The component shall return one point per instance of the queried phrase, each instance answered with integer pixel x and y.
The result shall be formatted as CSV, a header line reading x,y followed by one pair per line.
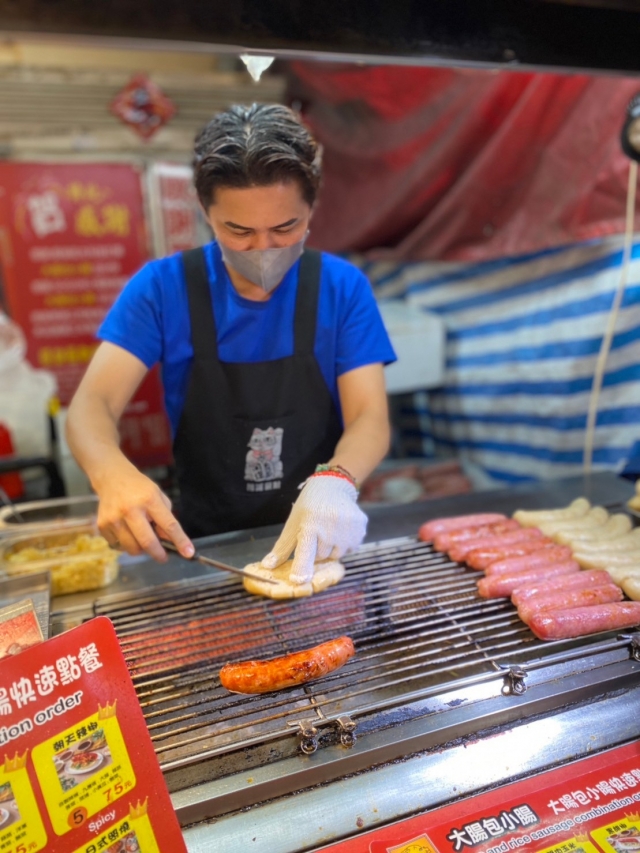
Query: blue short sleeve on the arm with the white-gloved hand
x,y
362,337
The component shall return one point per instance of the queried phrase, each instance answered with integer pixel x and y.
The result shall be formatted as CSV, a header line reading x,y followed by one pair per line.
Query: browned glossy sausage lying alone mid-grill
x,y
263,676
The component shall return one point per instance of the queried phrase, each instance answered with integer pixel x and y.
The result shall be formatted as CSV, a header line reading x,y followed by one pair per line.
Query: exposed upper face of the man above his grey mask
x,y
269,217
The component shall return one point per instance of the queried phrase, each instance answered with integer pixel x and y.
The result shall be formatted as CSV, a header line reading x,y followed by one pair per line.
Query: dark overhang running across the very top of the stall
x,y
574,34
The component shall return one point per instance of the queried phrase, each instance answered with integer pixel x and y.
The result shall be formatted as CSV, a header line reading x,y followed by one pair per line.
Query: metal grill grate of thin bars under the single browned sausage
x,y
415,617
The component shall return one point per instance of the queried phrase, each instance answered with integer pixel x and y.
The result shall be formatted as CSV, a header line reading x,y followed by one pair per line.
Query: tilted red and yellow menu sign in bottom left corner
x,y
78,773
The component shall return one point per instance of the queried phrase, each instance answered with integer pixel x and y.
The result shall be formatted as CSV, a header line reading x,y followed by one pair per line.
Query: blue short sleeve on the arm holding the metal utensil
x,y
135,319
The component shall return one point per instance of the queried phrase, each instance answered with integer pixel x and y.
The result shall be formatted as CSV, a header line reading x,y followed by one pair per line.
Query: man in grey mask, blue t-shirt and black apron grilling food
x,y
272,363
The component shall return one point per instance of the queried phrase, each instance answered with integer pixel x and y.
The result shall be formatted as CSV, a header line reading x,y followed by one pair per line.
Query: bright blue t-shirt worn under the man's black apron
x,y
150,319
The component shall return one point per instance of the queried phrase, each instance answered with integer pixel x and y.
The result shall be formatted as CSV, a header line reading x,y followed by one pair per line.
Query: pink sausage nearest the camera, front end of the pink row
x,y
578,621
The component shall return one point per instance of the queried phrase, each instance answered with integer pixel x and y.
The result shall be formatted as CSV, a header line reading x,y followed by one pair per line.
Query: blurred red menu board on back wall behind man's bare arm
x,y
70,237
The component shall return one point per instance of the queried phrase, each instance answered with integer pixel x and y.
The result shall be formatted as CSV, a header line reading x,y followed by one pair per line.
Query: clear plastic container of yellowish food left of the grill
x,y
78,559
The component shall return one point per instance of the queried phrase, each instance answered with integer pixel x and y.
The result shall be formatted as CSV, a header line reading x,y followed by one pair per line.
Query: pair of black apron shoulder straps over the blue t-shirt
x,y
203,324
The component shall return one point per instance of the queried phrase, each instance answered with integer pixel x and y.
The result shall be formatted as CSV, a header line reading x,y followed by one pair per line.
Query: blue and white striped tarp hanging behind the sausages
x,y
523,335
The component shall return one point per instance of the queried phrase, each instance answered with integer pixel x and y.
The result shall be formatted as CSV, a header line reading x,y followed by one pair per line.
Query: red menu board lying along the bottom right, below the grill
x,y
589,806
